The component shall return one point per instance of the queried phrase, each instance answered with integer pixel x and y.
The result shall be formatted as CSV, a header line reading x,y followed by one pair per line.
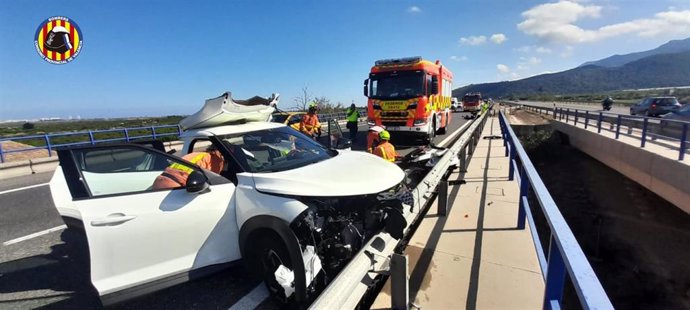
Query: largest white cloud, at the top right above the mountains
x,y
556,23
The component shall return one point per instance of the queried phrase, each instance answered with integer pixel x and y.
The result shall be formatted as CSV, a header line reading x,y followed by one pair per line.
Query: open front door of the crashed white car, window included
x,y
140,232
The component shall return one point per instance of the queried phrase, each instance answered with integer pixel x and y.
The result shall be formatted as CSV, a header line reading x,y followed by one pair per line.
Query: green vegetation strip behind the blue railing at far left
x,y
77,130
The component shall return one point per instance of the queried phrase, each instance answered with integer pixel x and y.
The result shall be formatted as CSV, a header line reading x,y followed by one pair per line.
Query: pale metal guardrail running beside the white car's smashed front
x,y
348,288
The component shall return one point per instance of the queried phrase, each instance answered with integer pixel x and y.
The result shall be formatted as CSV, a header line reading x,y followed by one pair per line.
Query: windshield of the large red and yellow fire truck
x,y
397,85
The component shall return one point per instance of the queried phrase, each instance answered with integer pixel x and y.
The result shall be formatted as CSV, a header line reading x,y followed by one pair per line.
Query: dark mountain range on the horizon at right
x,y
665,66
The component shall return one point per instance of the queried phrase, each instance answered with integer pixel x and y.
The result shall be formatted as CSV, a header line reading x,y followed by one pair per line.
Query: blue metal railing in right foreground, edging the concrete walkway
x,y
564,252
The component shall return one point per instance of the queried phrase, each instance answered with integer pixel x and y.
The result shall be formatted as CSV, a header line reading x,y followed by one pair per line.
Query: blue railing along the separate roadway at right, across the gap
x,y
648,127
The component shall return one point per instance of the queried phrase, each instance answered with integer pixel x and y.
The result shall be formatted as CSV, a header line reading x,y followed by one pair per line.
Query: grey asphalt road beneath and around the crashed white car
x,y
50,271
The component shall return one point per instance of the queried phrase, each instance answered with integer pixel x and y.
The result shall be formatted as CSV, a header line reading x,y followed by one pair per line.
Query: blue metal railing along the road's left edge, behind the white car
x,y
89,137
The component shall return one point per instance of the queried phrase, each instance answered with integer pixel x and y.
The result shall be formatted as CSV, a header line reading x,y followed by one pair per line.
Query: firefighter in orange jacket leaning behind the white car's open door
x,y
176,175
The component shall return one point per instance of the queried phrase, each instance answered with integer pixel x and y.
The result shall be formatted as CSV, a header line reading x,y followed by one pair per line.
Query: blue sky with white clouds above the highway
x,y
151,58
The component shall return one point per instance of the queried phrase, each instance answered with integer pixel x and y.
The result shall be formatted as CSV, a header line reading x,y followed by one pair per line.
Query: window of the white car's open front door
x,y
127,169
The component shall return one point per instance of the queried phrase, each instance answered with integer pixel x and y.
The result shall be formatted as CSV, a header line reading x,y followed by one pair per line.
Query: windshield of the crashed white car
x,y
273,150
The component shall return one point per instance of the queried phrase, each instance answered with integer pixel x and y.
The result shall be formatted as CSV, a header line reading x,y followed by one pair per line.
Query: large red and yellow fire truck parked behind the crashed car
x,y
409,95
